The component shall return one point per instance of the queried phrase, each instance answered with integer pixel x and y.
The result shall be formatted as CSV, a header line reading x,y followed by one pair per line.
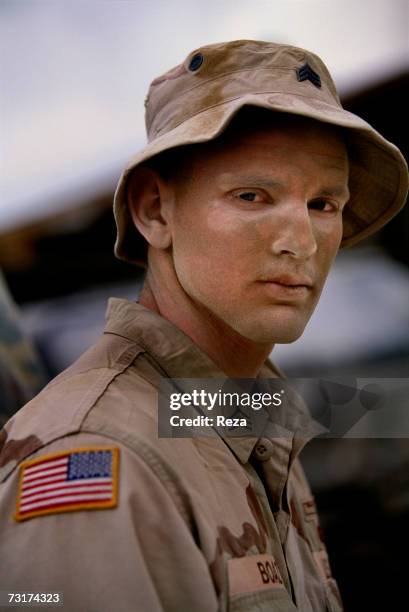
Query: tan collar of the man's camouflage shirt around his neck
x,y
176,356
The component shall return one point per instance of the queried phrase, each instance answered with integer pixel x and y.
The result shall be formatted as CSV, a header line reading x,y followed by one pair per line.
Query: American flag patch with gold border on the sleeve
x,y
79,479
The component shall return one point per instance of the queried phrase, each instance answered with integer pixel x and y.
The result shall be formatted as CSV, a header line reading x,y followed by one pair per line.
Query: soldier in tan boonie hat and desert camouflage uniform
x,y
253,177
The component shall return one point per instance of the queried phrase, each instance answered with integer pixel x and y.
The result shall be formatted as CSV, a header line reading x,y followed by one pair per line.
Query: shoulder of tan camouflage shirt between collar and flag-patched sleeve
x,y
109,385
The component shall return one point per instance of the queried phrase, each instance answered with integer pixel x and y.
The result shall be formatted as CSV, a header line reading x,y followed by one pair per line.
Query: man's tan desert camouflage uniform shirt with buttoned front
x,y
200,524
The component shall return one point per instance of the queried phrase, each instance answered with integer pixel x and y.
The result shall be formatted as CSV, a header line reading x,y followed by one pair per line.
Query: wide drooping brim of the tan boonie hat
x,y
378,181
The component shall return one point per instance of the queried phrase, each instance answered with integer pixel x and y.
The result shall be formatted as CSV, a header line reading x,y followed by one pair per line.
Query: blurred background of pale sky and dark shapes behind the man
x,y
73,80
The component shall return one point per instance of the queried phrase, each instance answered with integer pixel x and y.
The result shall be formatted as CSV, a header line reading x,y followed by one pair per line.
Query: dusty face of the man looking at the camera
x,y
257,224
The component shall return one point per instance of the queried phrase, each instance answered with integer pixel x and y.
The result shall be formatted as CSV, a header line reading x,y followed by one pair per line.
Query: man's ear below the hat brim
x,y
148,198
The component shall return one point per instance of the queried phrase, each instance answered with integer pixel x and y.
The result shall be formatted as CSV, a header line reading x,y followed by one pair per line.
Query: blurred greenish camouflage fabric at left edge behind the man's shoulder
x,y
21,371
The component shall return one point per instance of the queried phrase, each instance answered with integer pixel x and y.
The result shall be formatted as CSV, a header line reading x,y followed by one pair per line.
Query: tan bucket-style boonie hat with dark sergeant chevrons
x,y
195,101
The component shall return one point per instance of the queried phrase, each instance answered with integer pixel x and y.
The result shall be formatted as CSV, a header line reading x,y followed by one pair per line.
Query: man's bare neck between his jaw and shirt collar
x,y
236,356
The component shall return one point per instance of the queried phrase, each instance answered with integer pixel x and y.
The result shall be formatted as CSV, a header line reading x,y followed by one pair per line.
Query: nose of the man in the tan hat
x,y
294,234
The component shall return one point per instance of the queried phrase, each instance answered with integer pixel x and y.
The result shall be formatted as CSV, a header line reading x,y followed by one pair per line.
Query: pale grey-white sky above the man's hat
x,y
73,77
